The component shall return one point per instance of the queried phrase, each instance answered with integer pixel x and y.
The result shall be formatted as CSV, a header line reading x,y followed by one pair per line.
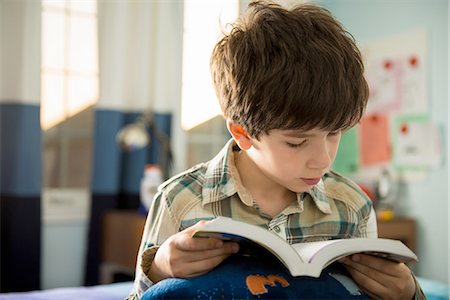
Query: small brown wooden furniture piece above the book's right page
x,y
403,229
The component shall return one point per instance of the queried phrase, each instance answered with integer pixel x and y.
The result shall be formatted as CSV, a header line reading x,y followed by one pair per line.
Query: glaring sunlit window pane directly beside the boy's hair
x,y
204,20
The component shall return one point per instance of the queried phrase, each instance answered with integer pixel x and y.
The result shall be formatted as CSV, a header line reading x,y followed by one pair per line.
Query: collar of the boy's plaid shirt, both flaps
x,y
222,181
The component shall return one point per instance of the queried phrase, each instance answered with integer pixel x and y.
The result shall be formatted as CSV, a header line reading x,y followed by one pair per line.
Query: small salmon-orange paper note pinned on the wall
x,y
375,140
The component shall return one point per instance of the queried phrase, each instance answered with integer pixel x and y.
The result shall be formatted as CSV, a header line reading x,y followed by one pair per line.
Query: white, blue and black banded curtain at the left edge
x,y
20,140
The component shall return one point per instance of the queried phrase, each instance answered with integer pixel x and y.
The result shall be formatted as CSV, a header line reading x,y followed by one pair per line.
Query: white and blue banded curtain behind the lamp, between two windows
x,y
140,50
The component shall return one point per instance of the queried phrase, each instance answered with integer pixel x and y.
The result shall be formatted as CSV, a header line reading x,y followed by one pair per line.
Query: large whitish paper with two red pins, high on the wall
x,y
396,73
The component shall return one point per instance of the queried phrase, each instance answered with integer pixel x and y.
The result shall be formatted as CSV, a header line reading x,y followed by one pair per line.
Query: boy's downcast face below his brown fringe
x,y
295,159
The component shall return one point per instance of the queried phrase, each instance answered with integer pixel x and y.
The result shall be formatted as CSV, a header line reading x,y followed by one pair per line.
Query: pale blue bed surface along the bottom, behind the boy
x,y
118,291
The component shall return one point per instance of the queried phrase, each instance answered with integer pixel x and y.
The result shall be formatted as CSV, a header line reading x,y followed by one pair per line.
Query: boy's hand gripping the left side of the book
x,y
183,256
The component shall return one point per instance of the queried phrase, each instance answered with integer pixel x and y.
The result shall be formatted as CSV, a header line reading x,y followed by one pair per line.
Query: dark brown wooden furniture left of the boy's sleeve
x,y
120,239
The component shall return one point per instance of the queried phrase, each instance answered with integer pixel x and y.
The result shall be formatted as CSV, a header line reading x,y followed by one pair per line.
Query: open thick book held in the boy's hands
x,y
304,259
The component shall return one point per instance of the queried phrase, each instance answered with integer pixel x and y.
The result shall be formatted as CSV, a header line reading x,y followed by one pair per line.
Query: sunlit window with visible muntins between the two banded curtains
x,y
69,89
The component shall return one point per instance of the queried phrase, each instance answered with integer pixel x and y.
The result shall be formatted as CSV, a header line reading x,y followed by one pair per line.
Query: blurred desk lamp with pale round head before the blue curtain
x,y
138,135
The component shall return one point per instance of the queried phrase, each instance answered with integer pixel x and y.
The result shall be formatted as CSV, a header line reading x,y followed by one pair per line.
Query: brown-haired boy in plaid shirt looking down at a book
x,y
289,82
